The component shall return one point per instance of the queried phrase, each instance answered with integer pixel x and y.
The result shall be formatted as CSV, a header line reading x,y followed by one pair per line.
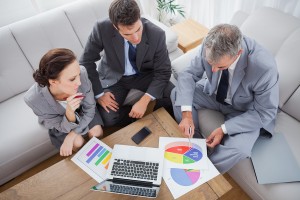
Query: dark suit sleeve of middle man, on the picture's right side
x,y
162,69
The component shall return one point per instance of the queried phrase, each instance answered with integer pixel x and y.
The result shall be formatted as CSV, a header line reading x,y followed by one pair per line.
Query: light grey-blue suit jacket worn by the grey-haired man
x,y
254,87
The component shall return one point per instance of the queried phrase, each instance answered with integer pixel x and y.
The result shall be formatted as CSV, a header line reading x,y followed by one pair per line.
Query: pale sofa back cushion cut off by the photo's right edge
x,y
288,61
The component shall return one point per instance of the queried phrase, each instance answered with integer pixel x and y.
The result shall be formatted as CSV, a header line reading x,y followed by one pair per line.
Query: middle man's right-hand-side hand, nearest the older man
x,y
139,108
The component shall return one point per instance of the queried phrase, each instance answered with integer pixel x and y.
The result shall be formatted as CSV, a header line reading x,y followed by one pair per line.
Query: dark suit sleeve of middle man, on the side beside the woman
x,y
90,55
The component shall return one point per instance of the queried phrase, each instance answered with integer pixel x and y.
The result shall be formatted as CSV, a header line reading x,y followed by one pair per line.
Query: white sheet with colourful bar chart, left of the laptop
x,y
94,158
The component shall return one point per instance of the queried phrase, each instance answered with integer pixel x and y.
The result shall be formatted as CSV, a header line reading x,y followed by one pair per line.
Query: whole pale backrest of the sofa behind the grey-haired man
x,y
279,33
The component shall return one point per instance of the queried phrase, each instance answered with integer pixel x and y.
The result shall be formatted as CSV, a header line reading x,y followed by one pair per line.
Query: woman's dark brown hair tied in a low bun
x,y
51,64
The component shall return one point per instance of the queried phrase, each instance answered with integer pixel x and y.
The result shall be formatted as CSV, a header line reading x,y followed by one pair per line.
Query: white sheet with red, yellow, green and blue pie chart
x,y
178,154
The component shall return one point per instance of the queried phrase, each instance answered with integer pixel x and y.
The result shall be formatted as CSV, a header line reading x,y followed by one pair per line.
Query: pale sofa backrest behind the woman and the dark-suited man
x,y
23,43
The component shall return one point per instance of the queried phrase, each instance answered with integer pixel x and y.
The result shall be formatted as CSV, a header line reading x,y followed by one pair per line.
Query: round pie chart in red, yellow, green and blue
x,y
180,152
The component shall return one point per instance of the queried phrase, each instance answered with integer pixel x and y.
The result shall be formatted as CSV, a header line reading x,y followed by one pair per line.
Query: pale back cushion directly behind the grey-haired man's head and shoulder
x,y
259,25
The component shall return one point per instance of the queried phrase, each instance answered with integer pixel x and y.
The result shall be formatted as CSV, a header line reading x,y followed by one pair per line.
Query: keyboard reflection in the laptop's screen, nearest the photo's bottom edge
x,y
126,189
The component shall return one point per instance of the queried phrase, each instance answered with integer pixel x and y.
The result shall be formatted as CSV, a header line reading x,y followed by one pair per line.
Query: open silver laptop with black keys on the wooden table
x,y
135,171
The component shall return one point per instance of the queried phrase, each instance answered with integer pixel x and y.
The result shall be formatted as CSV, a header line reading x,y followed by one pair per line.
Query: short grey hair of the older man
x,y
223,39
